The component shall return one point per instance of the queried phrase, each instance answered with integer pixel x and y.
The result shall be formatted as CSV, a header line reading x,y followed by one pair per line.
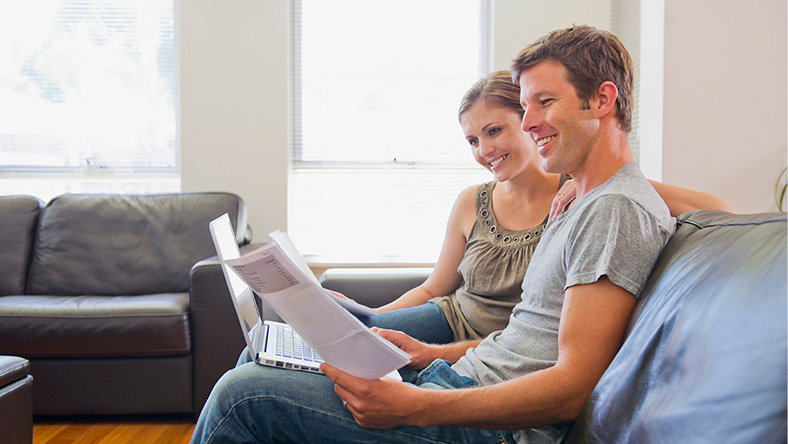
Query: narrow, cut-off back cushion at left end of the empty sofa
x,y
18,221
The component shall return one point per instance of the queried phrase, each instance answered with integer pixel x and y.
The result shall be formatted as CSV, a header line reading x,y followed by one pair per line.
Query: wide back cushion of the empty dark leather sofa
x,y
101,244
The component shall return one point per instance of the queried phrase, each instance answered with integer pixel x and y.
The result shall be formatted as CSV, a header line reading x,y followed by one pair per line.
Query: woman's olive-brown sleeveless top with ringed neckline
x,y
492,269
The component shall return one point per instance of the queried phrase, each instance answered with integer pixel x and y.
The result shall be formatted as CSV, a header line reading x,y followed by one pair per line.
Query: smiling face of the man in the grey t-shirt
x,y
563,128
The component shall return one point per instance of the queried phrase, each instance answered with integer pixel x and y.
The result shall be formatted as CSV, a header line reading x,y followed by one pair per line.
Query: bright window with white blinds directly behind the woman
x,y
378,156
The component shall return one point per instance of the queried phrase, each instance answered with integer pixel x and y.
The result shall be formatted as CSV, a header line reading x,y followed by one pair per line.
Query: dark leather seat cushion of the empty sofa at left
x,y
95,326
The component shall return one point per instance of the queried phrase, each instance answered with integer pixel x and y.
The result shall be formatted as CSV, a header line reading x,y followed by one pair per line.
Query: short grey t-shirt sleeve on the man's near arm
x,y
615,237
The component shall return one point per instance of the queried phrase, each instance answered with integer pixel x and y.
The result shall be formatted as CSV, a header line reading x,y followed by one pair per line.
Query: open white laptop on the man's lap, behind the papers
x,y
270,343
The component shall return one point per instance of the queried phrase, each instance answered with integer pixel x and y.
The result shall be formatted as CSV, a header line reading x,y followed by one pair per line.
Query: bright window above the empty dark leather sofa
x,y
87,97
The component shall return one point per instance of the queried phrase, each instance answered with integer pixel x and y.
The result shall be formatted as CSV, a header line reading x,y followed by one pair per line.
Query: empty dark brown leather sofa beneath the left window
x,y
99,293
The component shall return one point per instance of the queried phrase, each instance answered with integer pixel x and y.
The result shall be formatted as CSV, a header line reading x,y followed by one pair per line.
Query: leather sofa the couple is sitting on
x,y
704,360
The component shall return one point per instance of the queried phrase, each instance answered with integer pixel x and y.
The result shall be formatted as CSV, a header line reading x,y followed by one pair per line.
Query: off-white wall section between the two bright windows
x,y
234,103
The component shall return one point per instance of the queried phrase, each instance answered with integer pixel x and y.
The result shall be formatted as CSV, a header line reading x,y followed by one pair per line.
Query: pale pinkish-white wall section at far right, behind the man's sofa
x,y
725,99
